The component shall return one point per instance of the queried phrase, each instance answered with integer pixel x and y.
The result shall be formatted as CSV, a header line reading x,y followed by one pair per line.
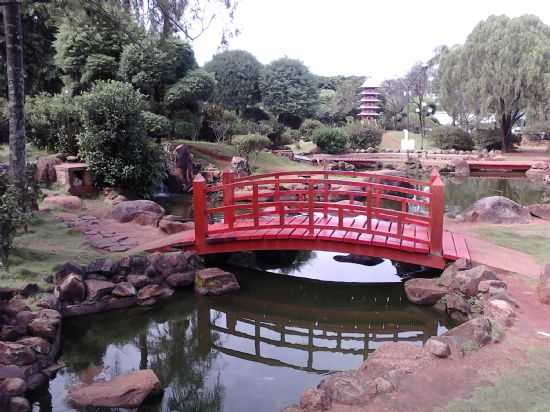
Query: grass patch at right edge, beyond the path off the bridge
x,y
530,239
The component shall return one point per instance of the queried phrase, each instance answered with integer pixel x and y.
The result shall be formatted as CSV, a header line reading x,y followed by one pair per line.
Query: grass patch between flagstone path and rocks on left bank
x,y
47,244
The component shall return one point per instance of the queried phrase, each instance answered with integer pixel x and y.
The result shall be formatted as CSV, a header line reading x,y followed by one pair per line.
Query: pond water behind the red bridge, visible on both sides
x,y
460,193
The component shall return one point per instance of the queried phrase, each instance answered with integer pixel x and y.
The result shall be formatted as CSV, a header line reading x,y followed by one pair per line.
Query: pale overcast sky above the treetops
x,y
381,39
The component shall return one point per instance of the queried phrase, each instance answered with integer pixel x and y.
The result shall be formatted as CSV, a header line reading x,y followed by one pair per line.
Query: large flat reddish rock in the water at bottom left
x,y
125,391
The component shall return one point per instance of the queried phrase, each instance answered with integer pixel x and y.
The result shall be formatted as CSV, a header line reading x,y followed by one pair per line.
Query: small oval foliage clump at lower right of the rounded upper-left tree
x,y
198,85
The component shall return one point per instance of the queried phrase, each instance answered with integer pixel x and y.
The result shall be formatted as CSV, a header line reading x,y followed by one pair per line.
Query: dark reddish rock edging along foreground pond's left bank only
x,y
30,340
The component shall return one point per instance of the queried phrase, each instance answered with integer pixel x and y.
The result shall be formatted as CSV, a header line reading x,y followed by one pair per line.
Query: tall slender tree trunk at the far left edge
x,y
13,32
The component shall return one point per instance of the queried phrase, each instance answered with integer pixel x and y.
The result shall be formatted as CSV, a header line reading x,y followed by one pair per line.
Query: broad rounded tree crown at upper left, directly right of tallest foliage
x,y
151,65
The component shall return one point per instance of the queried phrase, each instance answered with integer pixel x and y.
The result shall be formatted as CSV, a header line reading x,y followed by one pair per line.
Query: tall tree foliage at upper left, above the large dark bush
x,y
88,47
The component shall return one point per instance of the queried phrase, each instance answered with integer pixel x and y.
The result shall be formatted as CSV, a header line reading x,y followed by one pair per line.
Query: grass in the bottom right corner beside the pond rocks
x,y
525,389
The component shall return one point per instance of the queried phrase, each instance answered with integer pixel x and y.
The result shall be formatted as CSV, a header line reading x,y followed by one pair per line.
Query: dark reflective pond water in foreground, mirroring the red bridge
x,y
253,351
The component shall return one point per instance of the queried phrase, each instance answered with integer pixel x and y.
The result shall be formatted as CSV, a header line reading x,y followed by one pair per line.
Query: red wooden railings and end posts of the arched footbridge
x,y
401,208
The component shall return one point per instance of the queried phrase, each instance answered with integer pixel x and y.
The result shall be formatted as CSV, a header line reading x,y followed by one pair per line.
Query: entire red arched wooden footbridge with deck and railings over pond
x,y
361,213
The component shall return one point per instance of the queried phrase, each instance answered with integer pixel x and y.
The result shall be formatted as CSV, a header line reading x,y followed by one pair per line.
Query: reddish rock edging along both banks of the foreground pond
x,y
30,340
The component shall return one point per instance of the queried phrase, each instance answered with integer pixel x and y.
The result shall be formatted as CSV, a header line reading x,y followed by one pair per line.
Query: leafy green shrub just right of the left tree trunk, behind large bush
x,y
53,122
